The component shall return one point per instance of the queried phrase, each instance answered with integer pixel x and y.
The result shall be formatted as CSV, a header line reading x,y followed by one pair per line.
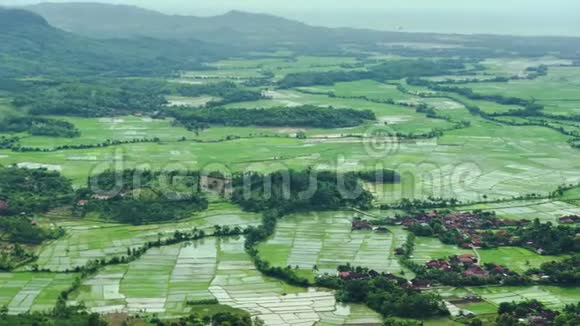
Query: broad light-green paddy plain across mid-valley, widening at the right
x,y
451,166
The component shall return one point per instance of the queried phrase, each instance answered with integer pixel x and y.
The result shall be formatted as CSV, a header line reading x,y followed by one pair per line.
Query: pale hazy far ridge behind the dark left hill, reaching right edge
x,y
260,31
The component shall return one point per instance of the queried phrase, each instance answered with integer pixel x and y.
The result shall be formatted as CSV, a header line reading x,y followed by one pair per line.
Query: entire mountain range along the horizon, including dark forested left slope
x,y
81,38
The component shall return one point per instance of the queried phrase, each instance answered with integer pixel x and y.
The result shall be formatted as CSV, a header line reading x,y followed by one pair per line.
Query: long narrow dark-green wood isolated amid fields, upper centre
x,y
302,116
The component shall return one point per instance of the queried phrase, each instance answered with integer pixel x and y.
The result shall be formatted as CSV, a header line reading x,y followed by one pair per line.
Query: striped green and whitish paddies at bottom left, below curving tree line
x,y
165,278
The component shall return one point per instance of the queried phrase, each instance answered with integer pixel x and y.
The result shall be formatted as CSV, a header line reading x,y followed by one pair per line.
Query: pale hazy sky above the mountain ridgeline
x,y
530,17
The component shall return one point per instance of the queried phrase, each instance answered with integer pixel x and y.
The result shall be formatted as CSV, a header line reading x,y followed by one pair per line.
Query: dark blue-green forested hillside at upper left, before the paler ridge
x,y
66,54
